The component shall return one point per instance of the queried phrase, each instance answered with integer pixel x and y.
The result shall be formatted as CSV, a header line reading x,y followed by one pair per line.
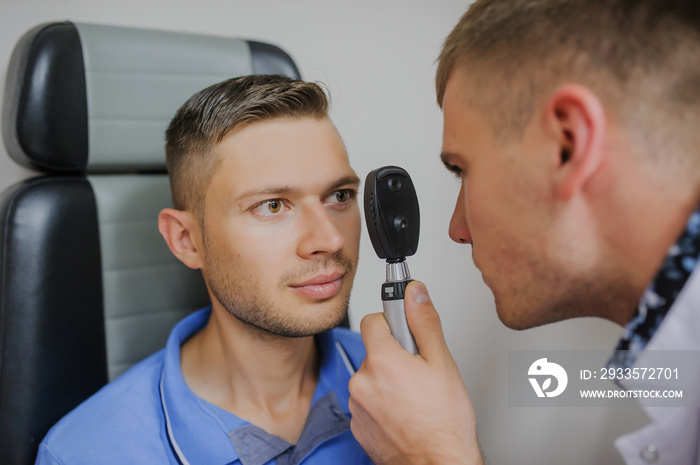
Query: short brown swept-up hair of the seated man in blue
x,y
209,115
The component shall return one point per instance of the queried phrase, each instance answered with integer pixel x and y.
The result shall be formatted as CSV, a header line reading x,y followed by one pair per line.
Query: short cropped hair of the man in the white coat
x,y
640,56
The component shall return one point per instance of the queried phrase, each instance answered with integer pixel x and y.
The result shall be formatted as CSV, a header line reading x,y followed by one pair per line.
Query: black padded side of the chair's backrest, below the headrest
x,y
52,350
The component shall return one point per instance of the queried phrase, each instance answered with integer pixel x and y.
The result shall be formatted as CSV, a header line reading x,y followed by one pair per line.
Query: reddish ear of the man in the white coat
x,y
576,118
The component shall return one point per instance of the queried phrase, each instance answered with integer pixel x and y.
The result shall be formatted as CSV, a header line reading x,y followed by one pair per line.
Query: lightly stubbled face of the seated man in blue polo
x,y
282,226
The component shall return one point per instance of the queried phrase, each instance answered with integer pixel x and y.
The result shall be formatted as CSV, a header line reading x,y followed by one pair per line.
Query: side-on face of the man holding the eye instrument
x,y
505,211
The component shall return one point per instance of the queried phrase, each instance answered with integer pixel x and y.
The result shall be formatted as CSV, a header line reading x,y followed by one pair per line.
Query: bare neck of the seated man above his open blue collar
x,y
265,379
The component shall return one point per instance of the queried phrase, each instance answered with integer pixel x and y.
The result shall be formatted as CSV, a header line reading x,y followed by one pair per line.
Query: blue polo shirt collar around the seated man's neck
x,y
202,431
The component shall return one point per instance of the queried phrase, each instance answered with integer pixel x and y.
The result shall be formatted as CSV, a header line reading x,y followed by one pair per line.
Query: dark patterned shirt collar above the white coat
x,y
660,295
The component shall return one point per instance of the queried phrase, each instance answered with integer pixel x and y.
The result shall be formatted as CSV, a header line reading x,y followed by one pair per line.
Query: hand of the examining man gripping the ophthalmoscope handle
x,y
412,409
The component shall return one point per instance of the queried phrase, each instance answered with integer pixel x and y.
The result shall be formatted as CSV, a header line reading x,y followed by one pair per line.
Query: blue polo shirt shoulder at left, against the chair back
x,y
125,411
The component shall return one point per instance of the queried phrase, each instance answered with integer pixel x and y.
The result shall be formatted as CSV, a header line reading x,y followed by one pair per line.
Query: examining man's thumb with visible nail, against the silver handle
x,y
424,321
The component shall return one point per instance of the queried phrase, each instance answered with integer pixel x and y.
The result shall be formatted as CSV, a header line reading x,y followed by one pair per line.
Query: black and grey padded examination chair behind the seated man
x,y
87,285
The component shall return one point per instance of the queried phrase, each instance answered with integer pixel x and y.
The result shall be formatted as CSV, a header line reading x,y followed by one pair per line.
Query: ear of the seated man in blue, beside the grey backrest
x,y
181,232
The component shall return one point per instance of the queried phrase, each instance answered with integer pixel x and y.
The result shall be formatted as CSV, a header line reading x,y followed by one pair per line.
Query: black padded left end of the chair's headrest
x,y
46,97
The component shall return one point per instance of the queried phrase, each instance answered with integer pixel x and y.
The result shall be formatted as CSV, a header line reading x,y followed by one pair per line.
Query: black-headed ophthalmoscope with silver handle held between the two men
x,y
393,221
